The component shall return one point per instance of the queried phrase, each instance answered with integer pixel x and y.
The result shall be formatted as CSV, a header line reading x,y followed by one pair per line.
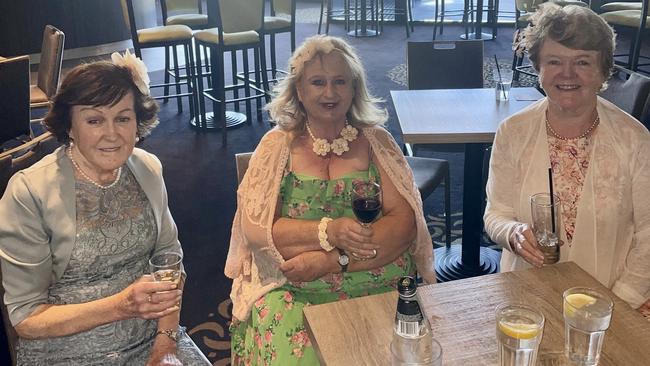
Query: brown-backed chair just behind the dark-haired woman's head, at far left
x,y
49,69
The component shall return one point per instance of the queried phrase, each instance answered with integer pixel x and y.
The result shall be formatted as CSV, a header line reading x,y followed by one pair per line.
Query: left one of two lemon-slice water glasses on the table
x,y
519,332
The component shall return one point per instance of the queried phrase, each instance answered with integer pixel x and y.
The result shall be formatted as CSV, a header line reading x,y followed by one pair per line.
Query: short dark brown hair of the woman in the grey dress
x,y
96,84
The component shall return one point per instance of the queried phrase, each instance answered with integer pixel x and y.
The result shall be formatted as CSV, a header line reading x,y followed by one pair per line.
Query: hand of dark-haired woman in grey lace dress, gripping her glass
x,y
148,299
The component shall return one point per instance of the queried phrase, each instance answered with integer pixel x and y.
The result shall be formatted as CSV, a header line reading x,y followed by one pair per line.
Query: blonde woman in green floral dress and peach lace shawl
x,y
294,238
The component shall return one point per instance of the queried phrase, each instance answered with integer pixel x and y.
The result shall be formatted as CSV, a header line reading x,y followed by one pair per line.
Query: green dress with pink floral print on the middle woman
x,y
274,333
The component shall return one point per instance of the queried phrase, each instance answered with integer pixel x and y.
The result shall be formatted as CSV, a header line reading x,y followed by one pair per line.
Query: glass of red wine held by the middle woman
x,y
366,205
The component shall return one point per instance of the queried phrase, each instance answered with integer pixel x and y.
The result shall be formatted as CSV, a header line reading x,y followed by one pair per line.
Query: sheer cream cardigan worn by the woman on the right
x,y
612,237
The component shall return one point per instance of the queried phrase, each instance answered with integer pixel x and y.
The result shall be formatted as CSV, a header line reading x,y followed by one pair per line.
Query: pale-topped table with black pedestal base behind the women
x,y
460,116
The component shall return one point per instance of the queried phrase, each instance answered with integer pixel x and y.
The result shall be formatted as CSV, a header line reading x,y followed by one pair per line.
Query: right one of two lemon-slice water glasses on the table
x,y
587,313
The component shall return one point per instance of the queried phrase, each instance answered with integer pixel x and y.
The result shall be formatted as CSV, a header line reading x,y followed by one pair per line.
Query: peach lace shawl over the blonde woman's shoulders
x,y
254,262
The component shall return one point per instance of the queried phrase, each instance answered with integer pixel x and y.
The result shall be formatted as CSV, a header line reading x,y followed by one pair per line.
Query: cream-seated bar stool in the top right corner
x,y
633,23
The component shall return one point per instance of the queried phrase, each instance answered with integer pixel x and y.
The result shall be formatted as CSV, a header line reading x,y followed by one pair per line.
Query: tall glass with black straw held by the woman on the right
x,y
546,231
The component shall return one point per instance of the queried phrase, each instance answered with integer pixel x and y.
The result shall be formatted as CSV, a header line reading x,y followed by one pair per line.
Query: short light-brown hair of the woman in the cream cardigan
x,y
572,26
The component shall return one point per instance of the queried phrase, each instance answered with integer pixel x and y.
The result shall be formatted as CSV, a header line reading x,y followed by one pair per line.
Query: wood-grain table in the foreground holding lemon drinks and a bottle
x,y
461,313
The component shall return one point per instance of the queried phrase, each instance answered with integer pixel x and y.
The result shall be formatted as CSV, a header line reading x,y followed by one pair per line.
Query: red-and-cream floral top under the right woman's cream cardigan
x,y
570,162
